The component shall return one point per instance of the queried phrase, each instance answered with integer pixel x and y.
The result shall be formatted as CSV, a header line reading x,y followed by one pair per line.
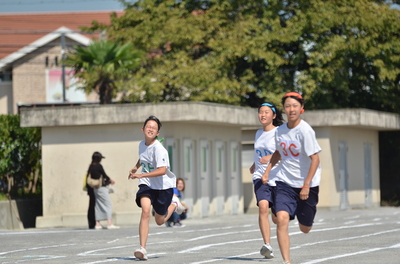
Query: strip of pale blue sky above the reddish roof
x,y
34,6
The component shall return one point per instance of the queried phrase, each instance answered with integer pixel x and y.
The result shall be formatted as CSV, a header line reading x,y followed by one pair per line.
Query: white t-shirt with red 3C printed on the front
x,y
296,145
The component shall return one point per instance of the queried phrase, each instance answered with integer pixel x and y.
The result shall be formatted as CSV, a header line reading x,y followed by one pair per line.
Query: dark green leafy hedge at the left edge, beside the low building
x,y
20,157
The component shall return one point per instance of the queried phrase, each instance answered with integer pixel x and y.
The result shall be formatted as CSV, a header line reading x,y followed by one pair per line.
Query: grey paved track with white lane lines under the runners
x,y
354,236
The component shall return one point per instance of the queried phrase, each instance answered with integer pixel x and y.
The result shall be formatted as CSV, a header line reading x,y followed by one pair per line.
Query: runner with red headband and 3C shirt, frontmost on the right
x,y
299,174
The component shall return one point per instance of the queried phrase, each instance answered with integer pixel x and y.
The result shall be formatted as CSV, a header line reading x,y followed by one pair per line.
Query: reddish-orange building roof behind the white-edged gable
x,y
20,30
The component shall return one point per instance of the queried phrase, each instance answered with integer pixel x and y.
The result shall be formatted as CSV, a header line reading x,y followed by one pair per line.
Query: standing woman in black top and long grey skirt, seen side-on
x,y
103,206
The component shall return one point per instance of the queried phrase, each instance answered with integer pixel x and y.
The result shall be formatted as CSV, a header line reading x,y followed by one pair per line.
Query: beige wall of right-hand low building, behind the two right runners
x,y
329,138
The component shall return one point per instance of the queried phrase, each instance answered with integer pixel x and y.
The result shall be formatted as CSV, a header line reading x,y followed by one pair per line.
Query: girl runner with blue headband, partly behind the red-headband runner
x,y
264,146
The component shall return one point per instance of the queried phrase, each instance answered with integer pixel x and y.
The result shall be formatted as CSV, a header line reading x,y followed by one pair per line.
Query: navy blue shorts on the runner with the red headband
x,y
288,199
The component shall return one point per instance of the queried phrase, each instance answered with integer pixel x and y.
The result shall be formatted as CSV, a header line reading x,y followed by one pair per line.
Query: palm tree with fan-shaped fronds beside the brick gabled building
x,y
101,65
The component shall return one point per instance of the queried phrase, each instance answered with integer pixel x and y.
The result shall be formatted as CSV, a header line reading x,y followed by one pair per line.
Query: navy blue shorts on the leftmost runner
x,y
160,199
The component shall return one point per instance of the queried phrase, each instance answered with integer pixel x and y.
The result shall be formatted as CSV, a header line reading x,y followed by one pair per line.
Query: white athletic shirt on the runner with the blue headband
x,y
264,145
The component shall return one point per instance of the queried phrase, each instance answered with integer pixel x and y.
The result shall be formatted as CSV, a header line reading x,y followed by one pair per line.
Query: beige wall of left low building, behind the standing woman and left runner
x,y
67,153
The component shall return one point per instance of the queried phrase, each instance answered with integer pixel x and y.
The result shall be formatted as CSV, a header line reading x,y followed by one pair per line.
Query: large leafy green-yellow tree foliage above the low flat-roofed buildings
x,y
336,53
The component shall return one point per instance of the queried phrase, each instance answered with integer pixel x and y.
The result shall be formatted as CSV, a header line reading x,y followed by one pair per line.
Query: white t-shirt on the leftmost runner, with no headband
x,y
151,158
